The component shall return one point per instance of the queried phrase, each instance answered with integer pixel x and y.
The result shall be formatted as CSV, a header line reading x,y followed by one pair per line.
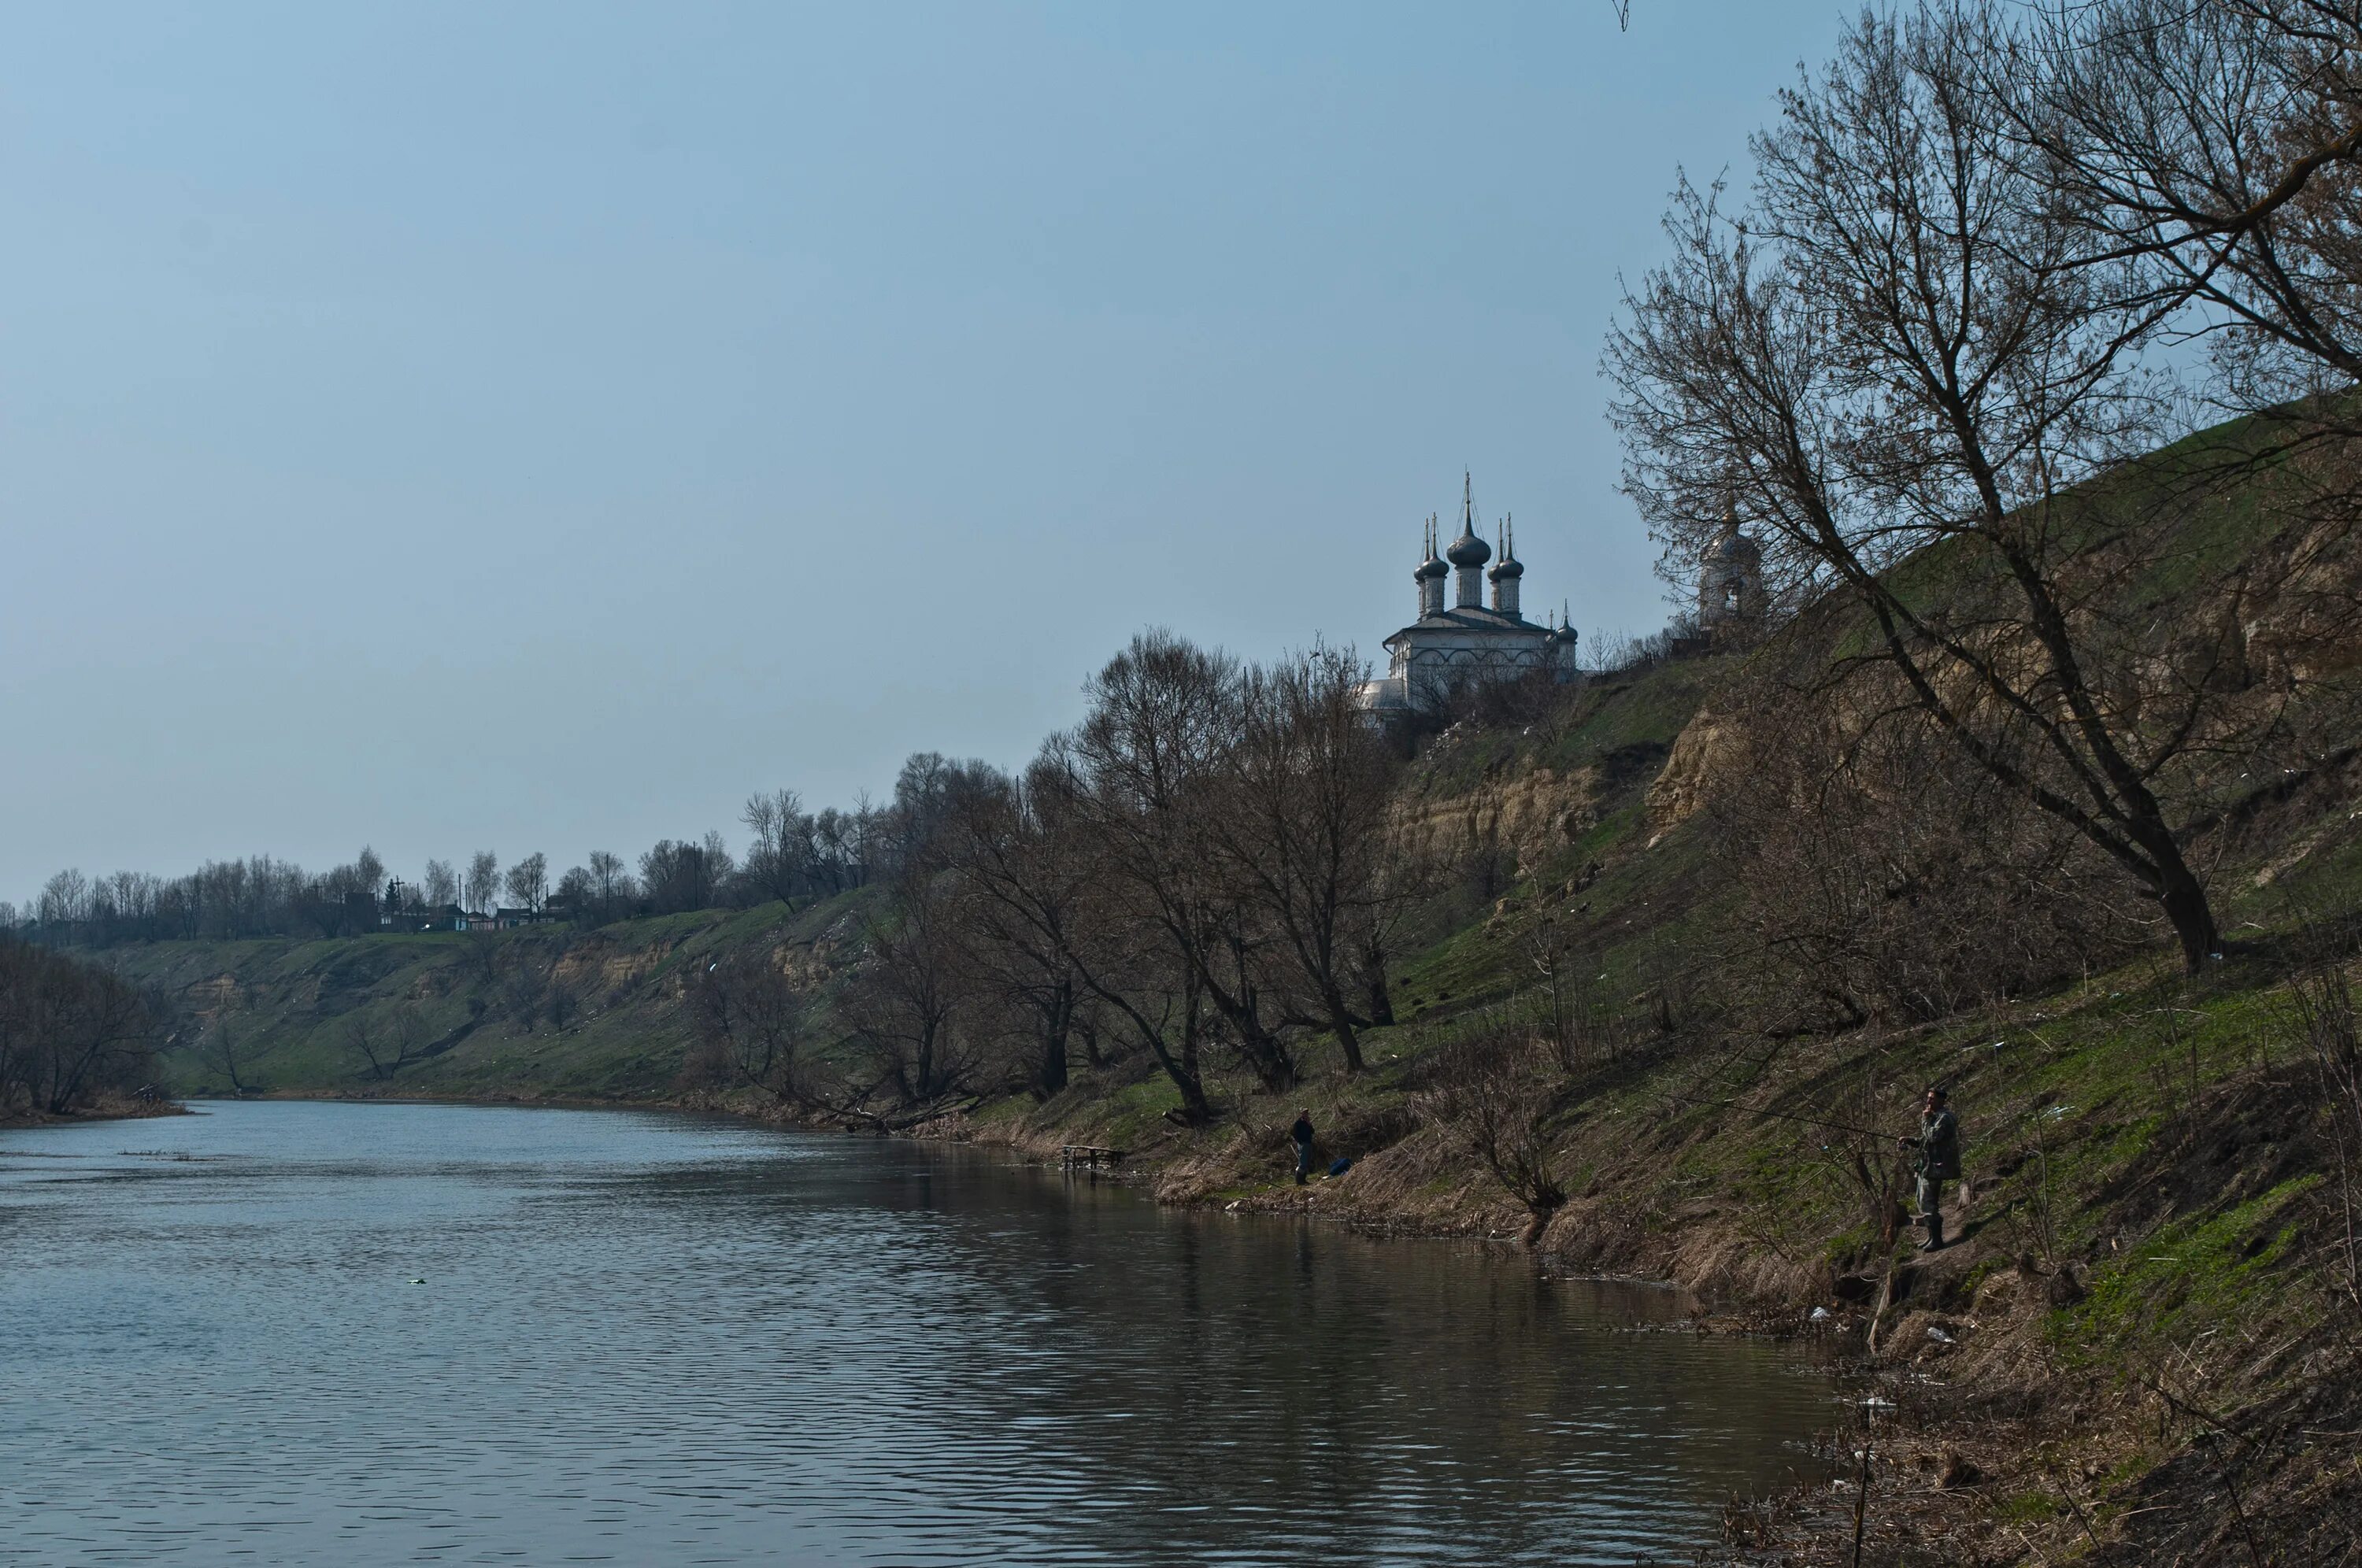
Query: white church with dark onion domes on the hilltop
x,y
1468,643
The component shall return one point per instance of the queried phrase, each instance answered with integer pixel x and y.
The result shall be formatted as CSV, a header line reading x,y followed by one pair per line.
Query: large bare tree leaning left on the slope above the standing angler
x,y
1910,351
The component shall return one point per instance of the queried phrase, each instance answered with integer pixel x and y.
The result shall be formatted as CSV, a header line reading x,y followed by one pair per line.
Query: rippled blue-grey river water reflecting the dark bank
x,y
481,1335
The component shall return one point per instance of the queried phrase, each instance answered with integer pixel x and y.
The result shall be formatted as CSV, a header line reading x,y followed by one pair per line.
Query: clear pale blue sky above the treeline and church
x,y
540,426
